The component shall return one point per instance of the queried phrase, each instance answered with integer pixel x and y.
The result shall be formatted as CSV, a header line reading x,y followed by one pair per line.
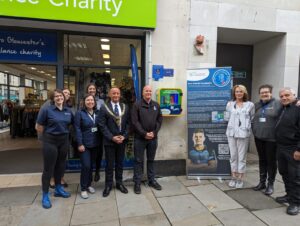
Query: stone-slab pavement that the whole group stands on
x,y
182,202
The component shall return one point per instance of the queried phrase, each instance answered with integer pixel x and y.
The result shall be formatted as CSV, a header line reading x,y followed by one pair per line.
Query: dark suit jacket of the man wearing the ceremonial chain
x,y
108,124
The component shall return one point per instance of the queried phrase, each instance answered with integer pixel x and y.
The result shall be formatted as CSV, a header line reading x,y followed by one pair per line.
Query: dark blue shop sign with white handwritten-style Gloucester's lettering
x,y
28,46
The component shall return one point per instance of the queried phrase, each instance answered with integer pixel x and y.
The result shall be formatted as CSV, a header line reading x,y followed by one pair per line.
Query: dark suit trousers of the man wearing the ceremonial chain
x,y
114,156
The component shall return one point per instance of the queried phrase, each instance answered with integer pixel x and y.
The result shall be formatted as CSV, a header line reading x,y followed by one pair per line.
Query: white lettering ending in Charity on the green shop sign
x,y
112,6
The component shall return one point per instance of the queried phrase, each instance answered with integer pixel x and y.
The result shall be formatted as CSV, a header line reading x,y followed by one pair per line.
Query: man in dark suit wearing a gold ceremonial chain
x,y
114,125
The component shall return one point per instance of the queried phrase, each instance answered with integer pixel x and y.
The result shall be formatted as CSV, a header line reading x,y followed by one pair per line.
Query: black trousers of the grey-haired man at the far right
x,y
289,169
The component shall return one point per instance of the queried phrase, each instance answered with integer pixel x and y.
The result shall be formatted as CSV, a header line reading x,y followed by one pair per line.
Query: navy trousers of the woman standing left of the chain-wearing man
x,y
87,158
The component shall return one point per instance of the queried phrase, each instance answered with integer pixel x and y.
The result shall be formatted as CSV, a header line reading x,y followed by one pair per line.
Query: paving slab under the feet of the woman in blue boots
x,y
60,213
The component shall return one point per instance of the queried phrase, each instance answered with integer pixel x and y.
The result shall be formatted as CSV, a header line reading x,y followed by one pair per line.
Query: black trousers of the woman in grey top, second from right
x,y
267,160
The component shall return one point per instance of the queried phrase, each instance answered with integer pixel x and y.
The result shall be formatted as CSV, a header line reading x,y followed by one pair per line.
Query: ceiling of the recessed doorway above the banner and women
x,y
244,37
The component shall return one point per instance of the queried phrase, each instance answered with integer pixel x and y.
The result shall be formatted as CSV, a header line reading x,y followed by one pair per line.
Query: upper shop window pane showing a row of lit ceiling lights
x,y
99,51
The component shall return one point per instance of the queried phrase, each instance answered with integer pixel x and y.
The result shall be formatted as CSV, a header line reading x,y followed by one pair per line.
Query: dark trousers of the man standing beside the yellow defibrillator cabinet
x,y
139,149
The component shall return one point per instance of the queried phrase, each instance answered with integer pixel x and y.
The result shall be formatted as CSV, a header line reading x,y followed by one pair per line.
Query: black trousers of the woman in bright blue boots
x,y
55,149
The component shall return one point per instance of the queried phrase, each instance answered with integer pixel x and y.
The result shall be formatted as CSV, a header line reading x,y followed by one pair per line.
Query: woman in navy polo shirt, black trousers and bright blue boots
x,y
53,122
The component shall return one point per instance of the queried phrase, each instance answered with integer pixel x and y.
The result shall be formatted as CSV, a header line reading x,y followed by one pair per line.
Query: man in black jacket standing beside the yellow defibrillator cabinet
x,y
146,120
